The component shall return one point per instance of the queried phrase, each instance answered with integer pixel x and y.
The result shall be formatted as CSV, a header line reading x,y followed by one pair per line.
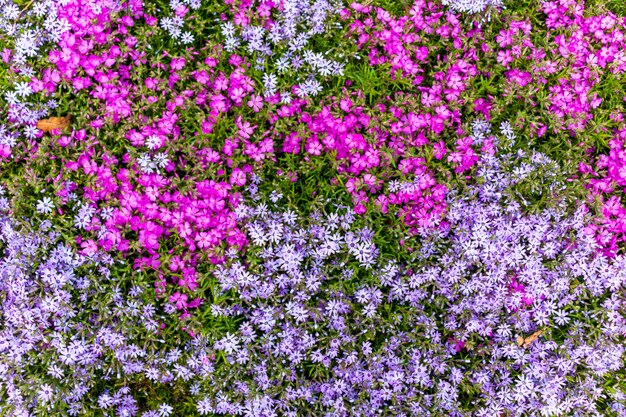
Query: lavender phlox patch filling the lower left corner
x,y
73,337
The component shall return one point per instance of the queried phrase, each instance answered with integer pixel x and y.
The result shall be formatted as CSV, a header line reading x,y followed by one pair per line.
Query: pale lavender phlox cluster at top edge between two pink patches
x,y
279,34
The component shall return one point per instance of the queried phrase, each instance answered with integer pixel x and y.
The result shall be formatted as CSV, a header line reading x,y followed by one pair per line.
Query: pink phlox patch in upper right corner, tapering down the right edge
x,y
553,78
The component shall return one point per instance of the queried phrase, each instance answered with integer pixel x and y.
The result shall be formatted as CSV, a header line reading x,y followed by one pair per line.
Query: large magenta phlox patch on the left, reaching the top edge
x,y
140,207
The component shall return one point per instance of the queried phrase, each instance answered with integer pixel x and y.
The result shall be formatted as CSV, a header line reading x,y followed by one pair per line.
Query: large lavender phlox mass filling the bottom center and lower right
x,y
504,311
